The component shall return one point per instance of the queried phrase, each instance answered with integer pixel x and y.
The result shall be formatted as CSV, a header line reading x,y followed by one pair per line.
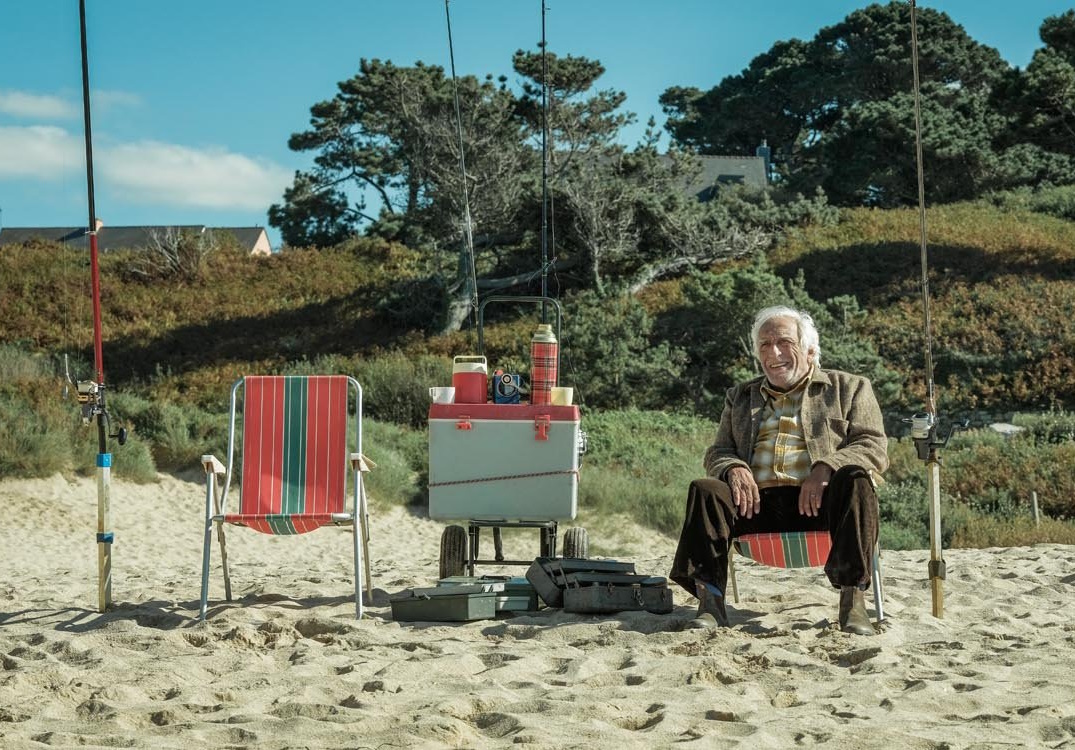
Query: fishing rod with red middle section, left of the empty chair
x,y
92,393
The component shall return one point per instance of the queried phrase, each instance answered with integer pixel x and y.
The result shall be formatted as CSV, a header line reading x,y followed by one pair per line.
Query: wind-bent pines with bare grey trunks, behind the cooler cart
x,y
618,214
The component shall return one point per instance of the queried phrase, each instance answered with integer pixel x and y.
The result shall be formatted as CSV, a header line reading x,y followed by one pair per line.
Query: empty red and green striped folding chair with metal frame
x,y
293,464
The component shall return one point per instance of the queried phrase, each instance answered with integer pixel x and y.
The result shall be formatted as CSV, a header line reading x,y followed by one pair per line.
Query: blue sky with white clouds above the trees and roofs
x,y
193,103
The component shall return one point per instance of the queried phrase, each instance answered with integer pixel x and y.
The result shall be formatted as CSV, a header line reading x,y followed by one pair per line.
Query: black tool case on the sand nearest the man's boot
x,y
601,594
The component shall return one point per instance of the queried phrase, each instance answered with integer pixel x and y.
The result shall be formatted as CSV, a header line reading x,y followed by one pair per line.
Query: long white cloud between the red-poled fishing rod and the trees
x,y
168,175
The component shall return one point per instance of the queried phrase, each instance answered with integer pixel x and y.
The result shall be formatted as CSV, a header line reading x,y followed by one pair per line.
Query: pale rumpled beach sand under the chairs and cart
x,y
286,666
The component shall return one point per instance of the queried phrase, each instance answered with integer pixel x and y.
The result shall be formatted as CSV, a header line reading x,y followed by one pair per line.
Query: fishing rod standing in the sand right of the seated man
x,y
924,427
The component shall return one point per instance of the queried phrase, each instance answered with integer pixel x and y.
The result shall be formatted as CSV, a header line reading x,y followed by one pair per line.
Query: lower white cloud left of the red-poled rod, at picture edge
x,y
40,152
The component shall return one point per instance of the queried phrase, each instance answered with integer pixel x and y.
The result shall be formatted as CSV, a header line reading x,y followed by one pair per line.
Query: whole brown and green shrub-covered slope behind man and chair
x,y
649,370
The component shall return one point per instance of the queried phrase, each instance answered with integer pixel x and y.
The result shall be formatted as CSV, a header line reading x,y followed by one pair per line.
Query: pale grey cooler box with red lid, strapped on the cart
x,y
504,463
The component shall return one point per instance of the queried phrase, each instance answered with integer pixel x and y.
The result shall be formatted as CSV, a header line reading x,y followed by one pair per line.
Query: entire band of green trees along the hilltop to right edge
x,y
457,167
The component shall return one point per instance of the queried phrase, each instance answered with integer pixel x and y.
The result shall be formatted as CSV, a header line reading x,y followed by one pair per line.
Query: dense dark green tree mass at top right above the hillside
x,y
839,110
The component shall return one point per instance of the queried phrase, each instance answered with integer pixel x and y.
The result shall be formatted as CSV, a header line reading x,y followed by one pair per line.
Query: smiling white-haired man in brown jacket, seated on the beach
x,y
796,451
